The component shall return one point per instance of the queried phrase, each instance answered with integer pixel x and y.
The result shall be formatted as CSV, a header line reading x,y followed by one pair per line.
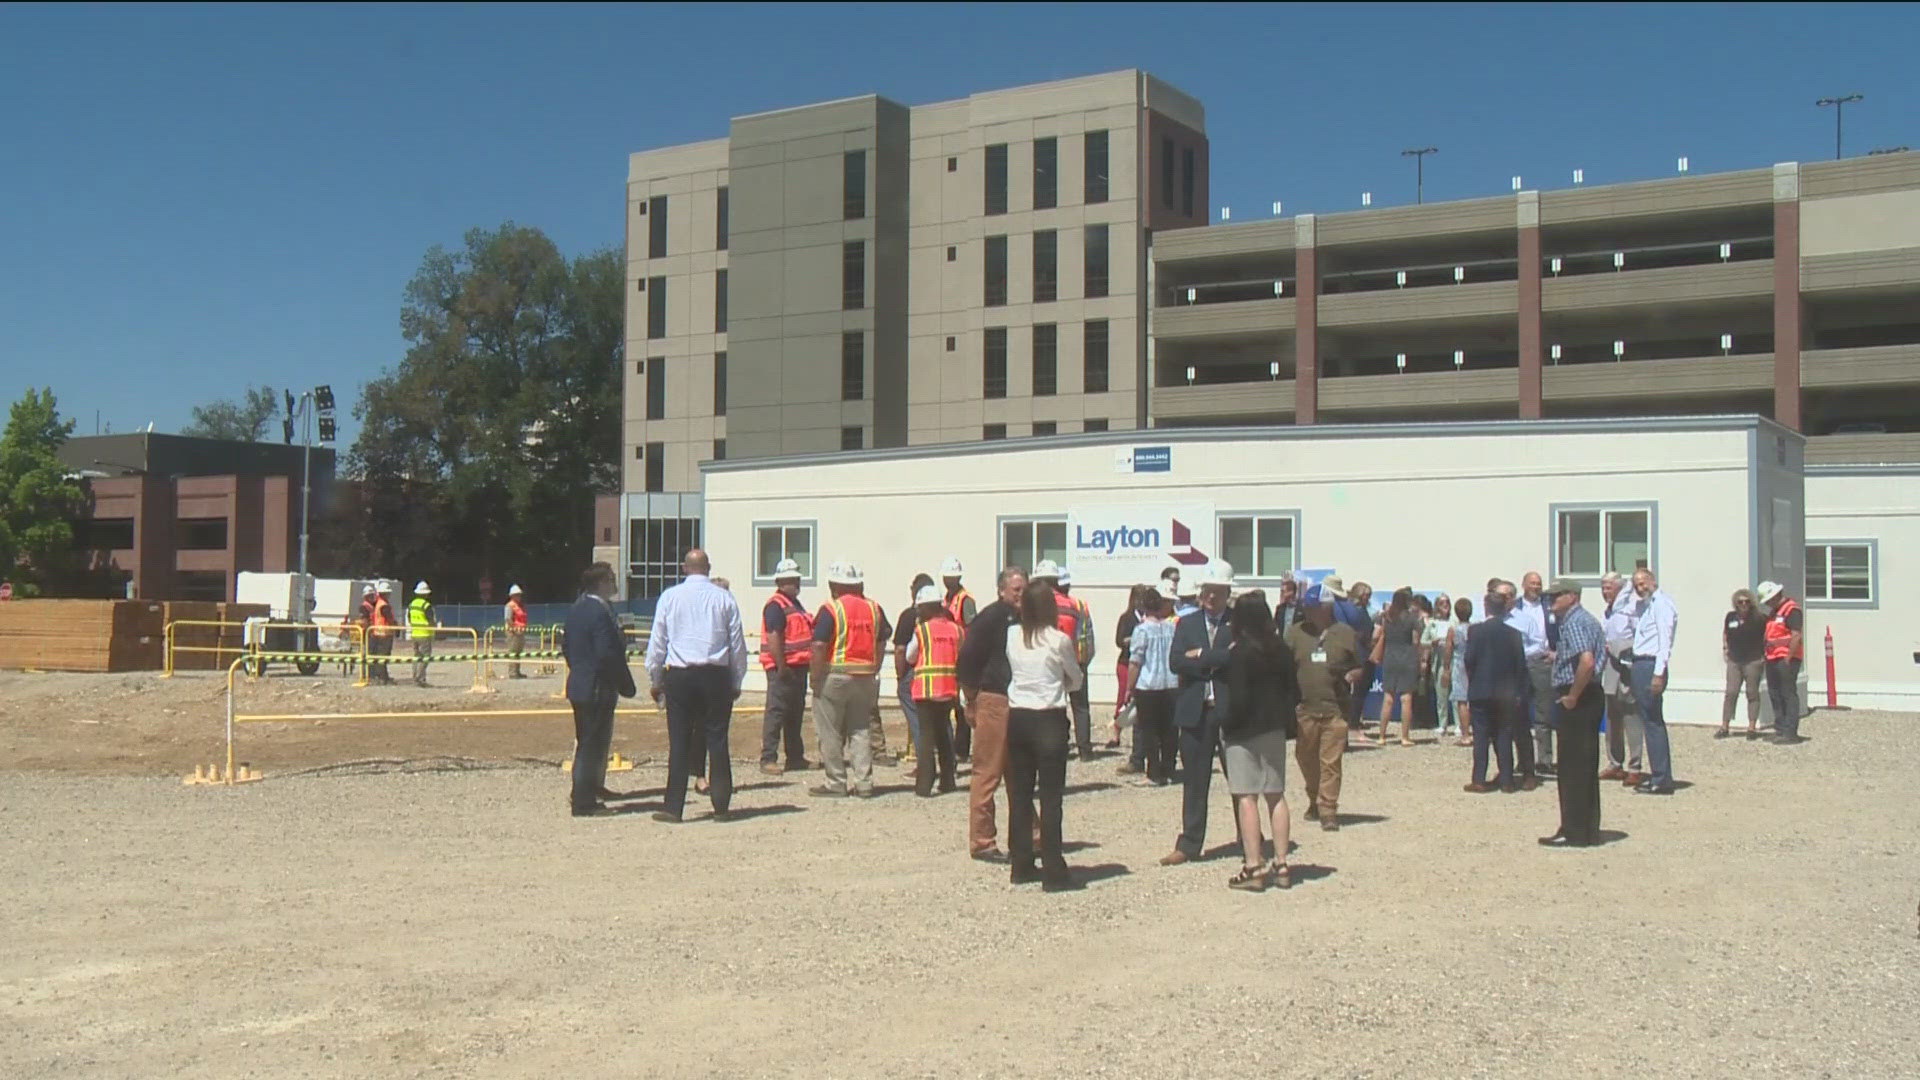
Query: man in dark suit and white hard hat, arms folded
x,y
1199,656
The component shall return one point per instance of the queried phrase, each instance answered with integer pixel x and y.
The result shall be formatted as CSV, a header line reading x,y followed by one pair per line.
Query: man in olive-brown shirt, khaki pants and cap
x,y
1328,660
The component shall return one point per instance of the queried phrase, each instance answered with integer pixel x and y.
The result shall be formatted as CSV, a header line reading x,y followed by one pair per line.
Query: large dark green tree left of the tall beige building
x,y
483,451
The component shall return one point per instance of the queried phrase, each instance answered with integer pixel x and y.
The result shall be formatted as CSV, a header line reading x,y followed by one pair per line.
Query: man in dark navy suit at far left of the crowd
x,y
596,677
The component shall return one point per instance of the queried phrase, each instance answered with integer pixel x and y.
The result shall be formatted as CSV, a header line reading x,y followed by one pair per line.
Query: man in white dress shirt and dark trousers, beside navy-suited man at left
x,y
698,662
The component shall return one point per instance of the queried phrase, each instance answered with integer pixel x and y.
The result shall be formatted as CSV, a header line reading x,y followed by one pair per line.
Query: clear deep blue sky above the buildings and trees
x,y
197,199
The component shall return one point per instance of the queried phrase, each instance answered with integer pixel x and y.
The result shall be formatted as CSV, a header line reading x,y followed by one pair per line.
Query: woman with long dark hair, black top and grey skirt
x,y
1262,693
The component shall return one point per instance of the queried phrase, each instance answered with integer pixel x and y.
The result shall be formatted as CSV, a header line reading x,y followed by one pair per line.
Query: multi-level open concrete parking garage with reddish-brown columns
x,y
1792,293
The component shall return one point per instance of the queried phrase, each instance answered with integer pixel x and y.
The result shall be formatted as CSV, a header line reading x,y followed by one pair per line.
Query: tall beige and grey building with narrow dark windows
x,y
863,274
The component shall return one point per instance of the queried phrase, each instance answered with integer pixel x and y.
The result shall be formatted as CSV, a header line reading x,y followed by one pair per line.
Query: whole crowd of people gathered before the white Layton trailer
x,y
1529,679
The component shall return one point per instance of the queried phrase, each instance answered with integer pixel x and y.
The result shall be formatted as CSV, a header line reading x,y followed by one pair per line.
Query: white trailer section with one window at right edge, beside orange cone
x,y
1863,558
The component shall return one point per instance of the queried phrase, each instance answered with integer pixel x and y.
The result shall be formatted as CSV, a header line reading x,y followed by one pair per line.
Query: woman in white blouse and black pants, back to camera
x,y
1045,670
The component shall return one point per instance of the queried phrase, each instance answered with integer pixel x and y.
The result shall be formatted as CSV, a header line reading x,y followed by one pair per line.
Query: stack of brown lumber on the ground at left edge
x,y
84,635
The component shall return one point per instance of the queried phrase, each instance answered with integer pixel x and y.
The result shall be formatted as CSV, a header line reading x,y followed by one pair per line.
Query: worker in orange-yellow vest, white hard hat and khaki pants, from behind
x,y
850,633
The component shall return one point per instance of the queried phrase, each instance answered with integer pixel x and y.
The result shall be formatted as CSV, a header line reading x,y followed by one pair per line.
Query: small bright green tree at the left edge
x,y
39,501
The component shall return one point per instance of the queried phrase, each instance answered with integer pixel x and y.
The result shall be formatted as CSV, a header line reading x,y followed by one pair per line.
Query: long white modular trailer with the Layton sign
x,y
1710,503
